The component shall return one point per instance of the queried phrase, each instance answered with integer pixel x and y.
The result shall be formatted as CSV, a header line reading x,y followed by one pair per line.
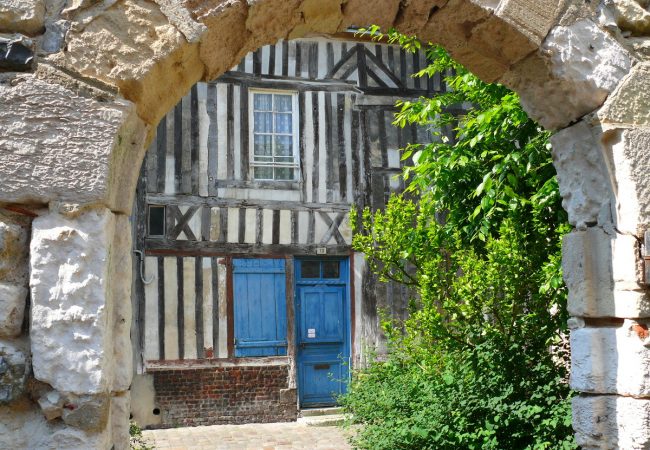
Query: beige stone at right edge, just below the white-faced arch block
x,y
630,103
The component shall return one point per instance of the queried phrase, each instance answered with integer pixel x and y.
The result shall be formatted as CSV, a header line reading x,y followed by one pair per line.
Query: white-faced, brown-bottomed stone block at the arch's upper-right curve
x,y
572,74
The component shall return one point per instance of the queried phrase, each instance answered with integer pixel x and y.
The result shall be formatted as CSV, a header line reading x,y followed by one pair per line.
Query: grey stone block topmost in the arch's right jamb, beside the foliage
x,y
582,175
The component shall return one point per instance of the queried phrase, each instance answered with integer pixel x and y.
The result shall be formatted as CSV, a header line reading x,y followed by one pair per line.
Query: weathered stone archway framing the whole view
x,y
86,81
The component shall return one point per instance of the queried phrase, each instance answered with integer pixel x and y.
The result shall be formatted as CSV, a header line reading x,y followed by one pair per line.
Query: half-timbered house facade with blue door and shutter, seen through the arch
x,y
249,302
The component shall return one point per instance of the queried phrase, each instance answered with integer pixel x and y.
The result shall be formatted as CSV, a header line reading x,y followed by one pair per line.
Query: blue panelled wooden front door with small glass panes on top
x,y
323,330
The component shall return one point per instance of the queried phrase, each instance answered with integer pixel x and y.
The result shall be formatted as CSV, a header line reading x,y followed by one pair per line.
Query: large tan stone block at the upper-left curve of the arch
x,y
133,45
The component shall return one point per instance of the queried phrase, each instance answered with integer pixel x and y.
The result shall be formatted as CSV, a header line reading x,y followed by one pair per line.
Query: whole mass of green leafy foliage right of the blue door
x,y
481,361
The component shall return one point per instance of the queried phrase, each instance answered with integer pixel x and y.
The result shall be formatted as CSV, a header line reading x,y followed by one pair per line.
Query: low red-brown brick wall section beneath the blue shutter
x,y
224,395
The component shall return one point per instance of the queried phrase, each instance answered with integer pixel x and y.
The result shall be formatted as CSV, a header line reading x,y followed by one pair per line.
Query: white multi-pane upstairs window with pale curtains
x,y
274,135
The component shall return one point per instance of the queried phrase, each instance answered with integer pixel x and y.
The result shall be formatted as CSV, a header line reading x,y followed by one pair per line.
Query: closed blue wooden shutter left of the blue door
x,y
259,298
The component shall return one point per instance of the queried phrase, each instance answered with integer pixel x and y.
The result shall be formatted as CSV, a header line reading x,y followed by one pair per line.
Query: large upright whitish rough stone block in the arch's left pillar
x,y
72,307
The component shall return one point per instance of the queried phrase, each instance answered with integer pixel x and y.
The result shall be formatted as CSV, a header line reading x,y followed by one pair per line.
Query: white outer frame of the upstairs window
x,y
295,165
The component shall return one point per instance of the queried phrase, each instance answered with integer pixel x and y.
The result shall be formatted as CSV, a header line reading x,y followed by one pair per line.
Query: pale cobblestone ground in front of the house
x,y
270,436
